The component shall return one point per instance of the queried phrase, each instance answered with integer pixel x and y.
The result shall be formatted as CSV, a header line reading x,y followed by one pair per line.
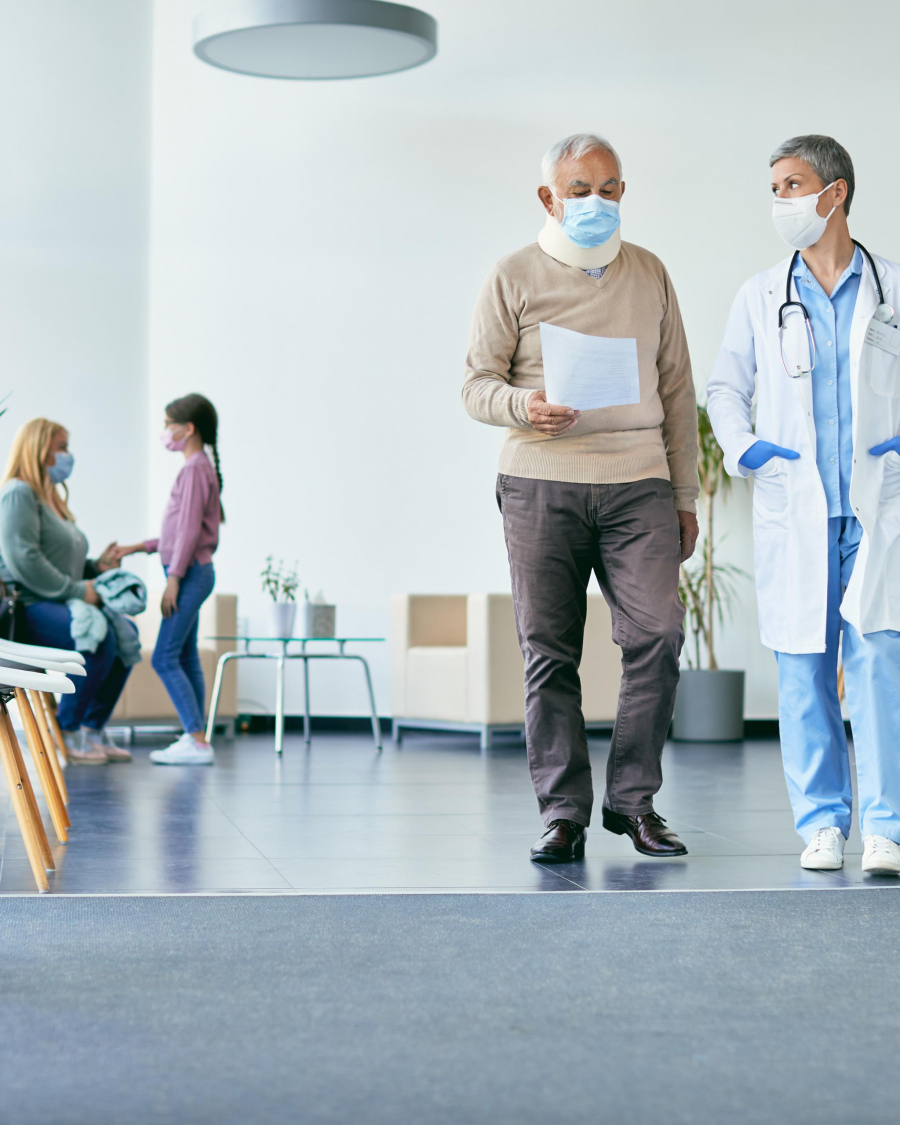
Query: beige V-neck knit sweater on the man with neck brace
x,y
654,438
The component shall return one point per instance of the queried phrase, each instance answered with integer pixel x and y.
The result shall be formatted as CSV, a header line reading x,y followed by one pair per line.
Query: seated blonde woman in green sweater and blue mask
x,y
44,554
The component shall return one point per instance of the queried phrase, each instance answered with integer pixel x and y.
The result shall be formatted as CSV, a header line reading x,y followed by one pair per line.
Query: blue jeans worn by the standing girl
x,y
176,658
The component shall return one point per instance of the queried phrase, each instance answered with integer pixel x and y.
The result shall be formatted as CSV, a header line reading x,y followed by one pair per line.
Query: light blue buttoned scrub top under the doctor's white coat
x,y
832,408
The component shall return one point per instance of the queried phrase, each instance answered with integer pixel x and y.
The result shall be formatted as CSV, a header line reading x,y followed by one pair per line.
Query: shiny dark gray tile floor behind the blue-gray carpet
x,y
435,815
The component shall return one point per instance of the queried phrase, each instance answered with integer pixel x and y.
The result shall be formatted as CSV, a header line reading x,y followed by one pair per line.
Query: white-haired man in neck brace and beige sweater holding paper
x,y
609,490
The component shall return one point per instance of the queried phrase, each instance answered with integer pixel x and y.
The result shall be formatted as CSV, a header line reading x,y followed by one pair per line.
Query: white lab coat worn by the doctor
x,y
790,512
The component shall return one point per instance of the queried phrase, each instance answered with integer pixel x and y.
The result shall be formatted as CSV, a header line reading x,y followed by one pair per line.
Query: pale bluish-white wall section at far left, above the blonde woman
x,y
75,165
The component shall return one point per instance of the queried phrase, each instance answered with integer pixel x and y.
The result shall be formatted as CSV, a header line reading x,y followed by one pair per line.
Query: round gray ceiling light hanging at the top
x,y
314,39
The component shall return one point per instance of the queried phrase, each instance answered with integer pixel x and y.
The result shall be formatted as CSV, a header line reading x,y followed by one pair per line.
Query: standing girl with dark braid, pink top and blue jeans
x,y
187,543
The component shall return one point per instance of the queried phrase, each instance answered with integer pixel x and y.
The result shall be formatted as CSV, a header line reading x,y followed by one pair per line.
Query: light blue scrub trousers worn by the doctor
x,y
813,741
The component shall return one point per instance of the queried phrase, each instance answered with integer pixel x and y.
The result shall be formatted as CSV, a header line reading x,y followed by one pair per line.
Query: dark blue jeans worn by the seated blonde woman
x,y
97,694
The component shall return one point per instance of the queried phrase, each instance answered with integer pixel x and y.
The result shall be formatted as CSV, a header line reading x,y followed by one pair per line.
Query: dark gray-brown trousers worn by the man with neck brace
x,y
629,536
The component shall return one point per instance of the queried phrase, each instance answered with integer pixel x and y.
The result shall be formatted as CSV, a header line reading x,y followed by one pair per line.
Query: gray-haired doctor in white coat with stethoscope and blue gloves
x,y
818,339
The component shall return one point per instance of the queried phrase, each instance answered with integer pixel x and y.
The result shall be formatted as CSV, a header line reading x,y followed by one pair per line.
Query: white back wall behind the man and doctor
x,y
317,250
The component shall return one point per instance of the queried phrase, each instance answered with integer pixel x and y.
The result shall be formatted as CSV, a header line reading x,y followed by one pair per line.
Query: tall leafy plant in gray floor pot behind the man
x,y
709,706
